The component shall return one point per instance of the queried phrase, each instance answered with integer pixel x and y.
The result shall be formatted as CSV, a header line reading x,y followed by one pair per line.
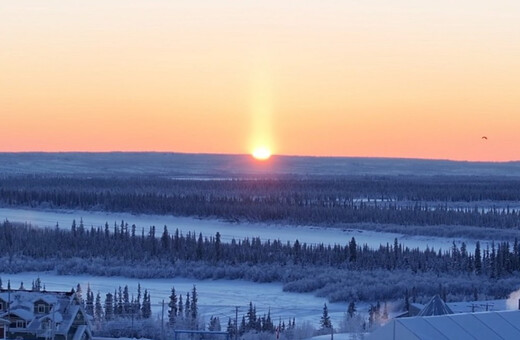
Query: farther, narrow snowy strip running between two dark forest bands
x,y
228,230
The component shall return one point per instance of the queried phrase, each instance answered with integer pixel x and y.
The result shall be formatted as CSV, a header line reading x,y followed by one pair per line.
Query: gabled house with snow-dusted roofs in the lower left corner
x,y
42,315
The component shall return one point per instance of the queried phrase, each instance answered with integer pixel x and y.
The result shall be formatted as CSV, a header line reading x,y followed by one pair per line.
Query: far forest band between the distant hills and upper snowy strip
x,y
392,200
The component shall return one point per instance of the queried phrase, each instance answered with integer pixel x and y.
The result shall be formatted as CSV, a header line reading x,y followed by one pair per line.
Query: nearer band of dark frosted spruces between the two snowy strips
x,y
340,272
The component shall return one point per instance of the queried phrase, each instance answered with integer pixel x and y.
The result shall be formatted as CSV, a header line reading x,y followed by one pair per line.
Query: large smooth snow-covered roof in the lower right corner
x,y
465,326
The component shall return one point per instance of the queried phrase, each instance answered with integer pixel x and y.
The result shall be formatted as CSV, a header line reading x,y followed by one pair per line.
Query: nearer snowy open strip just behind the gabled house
x,y
216,297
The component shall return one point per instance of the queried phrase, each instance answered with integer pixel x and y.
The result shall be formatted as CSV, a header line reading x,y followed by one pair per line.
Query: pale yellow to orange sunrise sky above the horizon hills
x,y
371,78
